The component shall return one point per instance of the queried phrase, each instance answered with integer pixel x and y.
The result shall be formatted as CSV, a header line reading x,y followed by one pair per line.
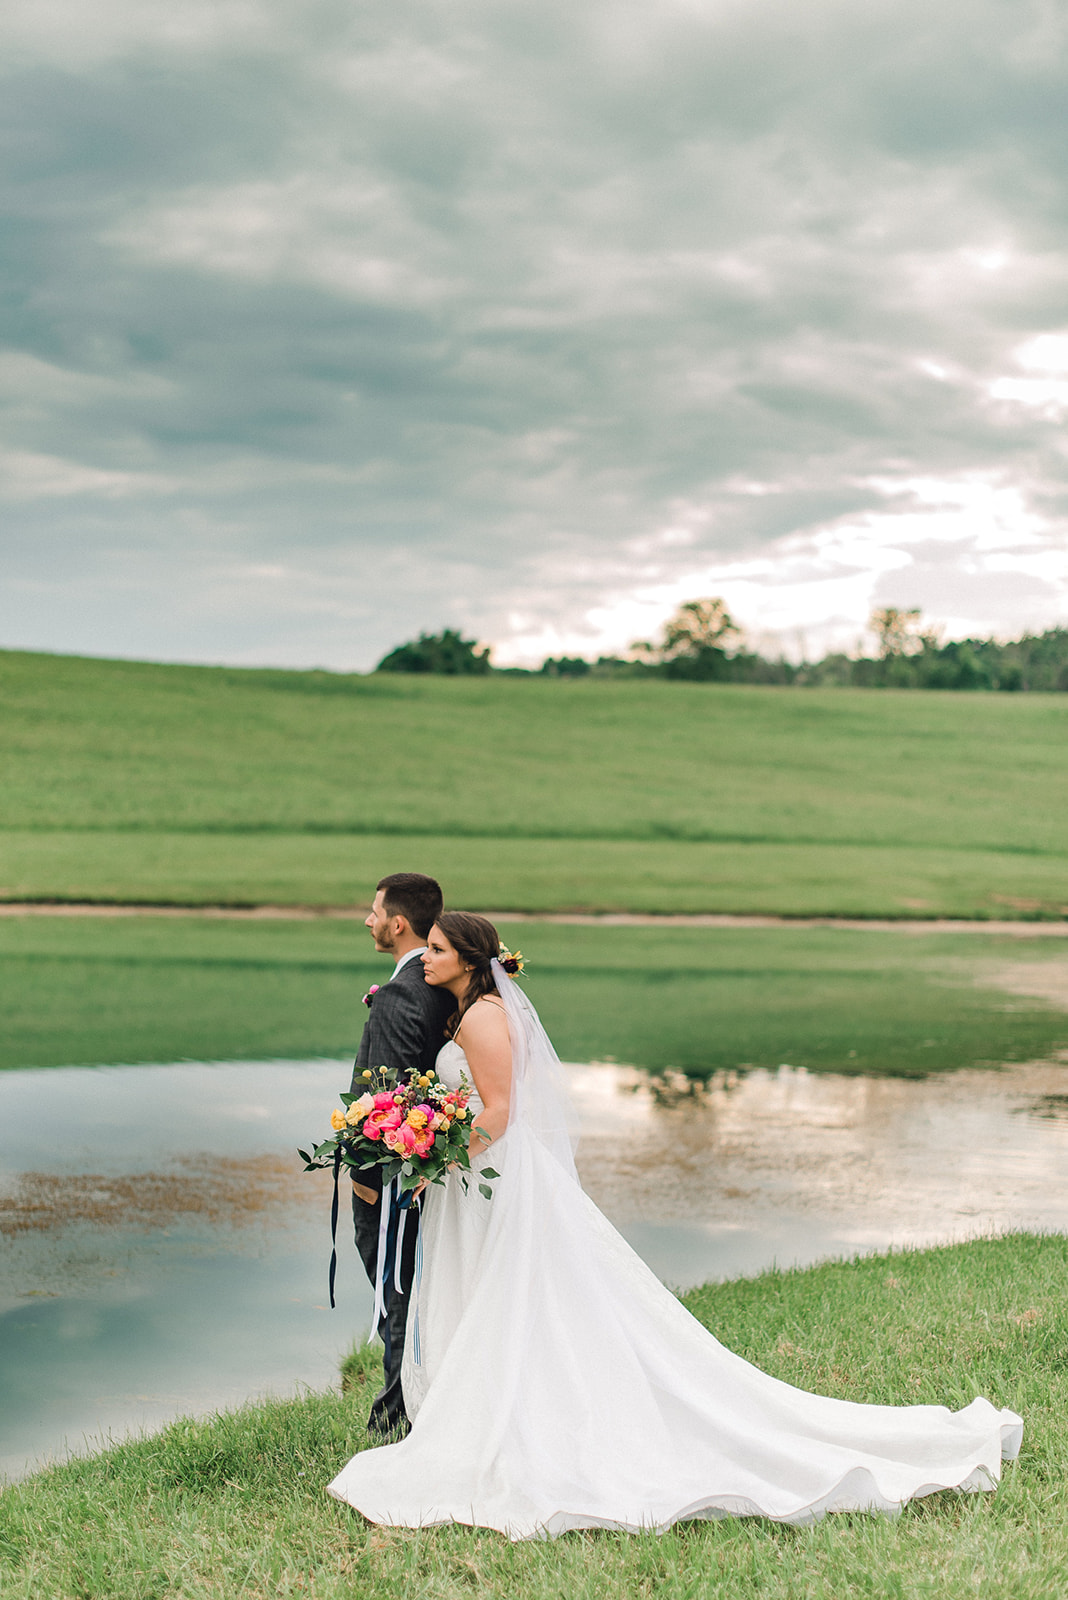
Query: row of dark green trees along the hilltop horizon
x,y
703,644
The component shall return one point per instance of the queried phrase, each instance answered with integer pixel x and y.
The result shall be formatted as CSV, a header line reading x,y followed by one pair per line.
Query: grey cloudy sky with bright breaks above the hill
x,y
324,322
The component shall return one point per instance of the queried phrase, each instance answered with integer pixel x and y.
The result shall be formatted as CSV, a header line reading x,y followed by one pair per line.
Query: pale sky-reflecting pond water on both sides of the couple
x,y
162,1252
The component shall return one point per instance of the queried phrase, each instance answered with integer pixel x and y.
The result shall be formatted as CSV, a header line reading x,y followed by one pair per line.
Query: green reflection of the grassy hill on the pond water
x,y
831,999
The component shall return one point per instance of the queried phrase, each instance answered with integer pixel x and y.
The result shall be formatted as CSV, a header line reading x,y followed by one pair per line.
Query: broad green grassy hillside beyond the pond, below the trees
x,y
127,782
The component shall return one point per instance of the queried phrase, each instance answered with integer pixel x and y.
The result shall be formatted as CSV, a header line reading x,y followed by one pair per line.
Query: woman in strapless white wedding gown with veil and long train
x,y
554,1383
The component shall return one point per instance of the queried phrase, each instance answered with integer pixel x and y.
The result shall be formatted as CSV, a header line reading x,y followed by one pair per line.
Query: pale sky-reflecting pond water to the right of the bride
x,y
810,1166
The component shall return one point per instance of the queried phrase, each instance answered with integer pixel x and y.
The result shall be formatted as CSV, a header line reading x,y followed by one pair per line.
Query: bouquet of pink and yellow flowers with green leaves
x,y
408,1124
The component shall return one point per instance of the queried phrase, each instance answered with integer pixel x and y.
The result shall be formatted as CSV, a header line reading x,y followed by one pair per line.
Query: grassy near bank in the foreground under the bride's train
x,y
234,1508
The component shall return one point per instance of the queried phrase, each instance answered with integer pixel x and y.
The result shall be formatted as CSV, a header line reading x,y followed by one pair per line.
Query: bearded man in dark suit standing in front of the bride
x,y
405,1030
